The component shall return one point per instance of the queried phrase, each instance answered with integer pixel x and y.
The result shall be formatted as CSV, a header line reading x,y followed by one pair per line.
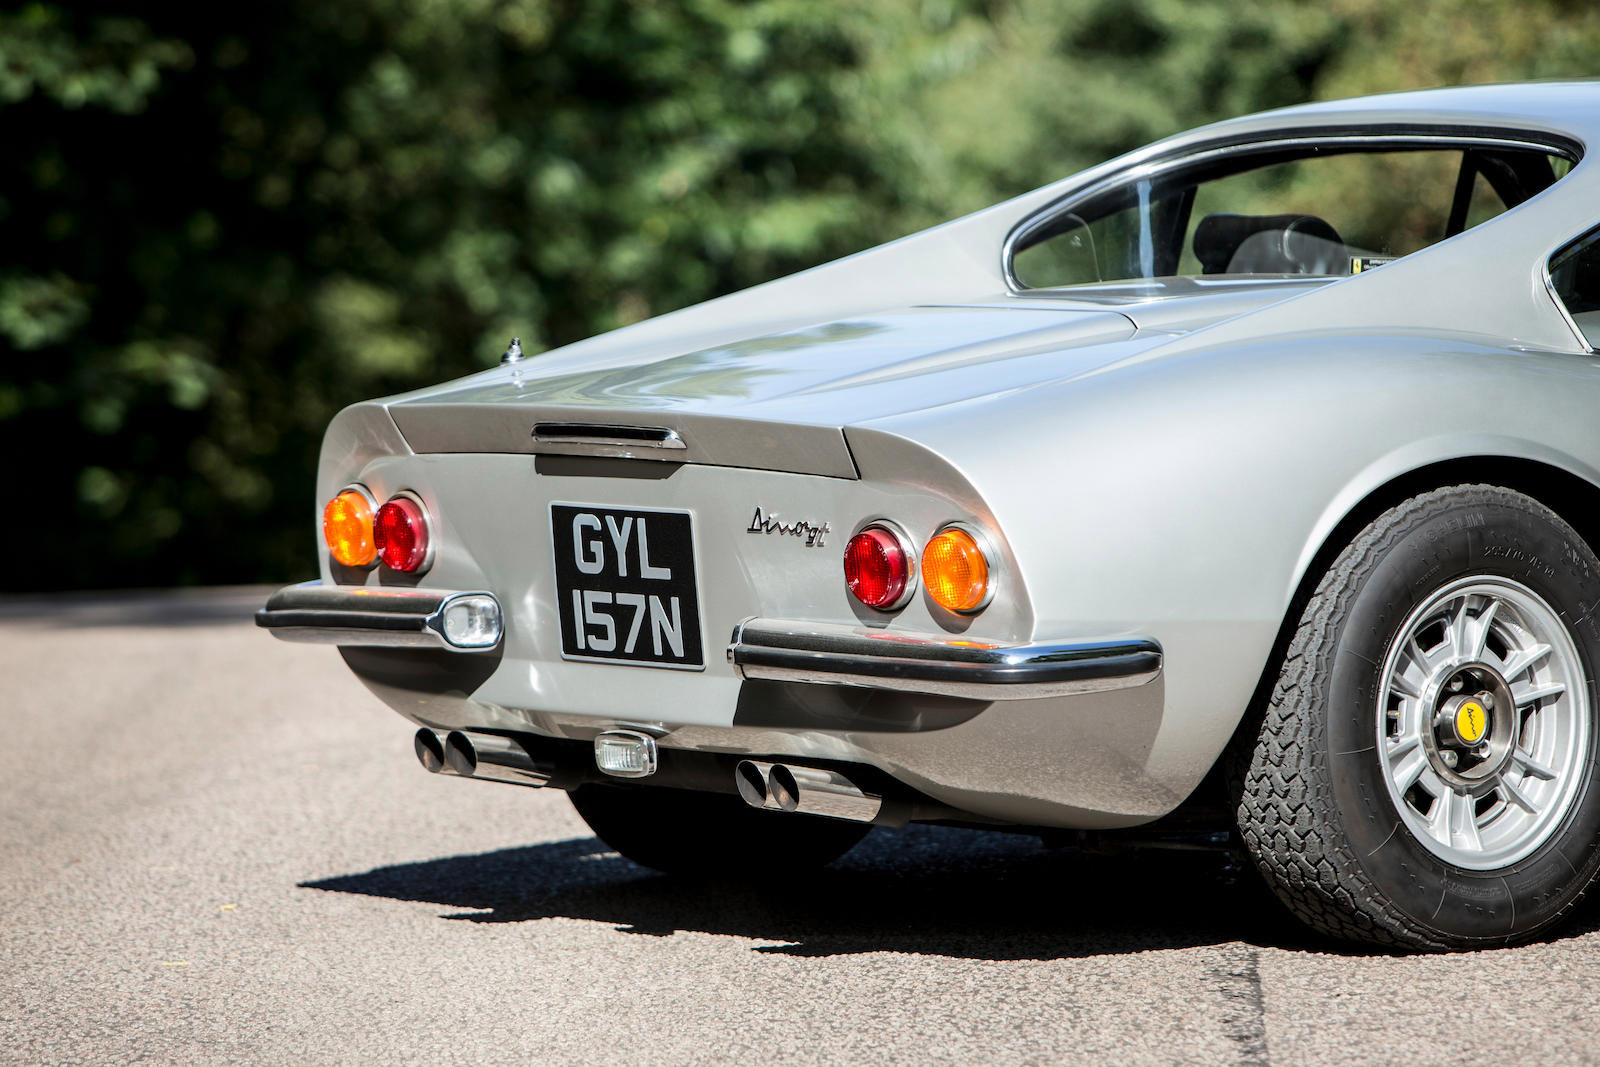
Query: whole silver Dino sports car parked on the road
x,y
1250,481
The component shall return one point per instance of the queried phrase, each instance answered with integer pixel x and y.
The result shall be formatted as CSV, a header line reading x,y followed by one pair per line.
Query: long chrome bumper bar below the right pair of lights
x,y
946,666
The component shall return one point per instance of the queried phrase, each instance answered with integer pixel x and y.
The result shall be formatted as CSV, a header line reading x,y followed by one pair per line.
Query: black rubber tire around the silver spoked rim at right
x,y
1316,809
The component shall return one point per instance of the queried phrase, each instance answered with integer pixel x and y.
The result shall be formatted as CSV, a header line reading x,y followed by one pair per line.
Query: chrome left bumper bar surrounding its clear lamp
x,y
359,615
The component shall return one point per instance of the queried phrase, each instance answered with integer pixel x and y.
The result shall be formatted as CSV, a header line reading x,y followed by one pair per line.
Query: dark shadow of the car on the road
x,y
918,890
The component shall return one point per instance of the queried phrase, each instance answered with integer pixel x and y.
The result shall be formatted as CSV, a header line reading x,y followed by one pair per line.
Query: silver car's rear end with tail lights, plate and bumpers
x,y
615,601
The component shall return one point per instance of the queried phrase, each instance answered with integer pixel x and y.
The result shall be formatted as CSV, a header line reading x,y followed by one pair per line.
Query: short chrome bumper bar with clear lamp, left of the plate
x,y
409,618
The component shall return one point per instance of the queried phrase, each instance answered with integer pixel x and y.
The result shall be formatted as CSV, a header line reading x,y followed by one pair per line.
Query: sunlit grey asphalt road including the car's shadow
x,y
218,847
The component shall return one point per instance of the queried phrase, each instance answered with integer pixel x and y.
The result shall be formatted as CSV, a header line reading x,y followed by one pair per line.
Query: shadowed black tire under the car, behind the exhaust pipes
x,y
711,836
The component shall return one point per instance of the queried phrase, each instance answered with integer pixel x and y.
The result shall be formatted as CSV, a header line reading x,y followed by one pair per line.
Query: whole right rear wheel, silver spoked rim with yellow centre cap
x,y
1426,769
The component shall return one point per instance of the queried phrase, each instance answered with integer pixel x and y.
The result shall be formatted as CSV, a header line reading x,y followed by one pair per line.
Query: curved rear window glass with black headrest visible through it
x,y
1311,210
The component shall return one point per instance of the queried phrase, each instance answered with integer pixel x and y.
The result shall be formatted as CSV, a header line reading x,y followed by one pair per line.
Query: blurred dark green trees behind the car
x,y
220,225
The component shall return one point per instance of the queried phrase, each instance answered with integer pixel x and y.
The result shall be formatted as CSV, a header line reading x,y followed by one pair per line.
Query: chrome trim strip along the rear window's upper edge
x,y
1249,145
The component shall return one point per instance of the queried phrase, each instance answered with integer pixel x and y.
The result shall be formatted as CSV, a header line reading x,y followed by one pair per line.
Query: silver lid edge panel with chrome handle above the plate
x,y
671,438
